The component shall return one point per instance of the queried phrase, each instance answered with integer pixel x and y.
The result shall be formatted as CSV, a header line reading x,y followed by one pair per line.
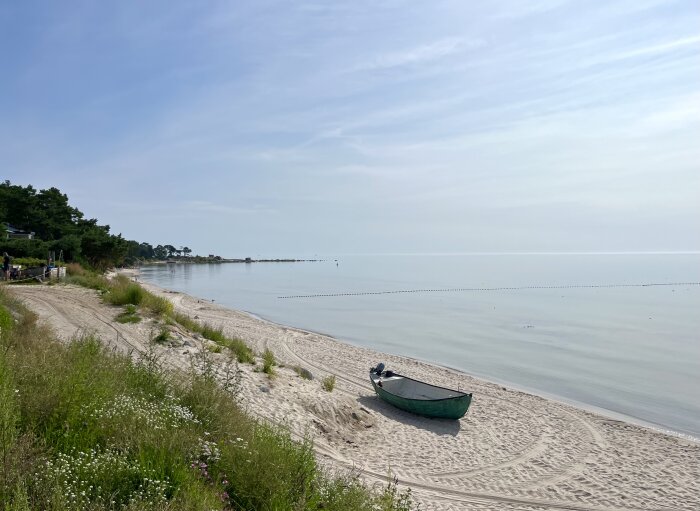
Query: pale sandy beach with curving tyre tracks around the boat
x,y
513,450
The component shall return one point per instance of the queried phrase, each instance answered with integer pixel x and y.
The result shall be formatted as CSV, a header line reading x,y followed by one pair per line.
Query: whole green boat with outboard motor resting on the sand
x,y
418,397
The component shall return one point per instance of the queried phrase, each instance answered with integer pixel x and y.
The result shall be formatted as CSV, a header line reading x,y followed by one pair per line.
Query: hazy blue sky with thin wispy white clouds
x,y
291,129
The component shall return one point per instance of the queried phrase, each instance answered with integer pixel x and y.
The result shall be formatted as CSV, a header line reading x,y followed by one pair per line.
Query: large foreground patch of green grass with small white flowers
x,y
84,427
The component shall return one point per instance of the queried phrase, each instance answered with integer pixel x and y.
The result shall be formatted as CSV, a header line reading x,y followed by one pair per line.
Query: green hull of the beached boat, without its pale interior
x,y
447,408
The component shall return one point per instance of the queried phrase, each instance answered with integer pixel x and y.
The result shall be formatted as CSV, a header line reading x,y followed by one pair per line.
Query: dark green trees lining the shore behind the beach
x,y
57,226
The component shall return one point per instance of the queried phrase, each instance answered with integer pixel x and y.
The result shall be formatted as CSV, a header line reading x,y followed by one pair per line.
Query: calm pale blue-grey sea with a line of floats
x,y
629,350
